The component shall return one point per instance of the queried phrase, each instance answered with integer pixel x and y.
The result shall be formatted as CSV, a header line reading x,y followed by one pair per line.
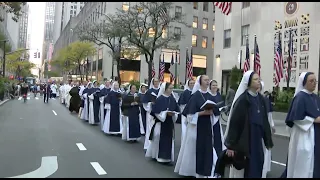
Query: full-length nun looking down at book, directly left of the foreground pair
x,y
165,111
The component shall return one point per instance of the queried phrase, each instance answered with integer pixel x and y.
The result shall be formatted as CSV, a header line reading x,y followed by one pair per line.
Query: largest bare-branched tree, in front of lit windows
x,y
147,25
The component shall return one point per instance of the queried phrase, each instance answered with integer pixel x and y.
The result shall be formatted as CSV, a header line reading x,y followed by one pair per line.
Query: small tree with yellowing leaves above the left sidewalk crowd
x,y
16,65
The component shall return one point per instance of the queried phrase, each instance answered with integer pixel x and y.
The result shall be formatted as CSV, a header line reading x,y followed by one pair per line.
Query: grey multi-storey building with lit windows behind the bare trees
x,y
199,36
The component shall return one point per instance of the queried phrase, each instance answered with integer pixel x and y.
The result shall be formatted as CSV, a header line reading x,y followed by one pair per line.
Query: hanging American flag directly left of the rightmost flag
x,y
278,63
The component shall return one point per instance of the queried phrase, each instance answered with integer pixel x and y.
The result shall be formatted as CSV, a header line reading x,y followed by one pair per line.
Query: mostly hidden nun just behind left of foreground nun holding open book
x,y
183,100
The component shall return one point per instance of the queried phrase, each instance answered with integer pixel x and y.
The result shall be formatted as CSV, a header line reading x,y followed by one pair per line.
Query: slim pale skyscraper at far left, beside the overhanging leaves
x,y
23,27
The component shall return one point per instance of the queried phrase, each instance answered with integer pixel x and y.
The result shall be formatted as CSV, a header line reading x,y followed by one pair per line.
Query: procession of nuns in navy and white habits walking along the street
x,y
242,151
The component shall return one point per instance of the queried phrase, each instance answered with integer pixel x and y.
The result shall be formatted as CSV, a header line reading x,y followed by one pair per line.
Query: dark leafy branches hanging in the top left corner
x,y
14,8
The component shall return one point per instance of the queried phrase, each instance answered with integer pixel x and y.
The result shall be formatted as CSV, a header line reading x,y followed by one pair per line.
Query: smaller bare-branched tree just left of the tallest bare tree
x,y
109,33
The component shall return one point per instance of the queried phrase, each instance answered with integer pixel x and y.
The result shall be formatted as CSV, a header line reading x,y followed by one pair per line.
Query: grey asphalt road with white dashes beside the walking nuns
x,y
34,130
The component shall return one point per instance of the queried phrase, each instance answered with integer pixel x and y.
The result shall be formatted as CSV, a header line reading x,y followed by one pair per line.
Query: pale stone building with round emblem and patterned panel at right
x,y
266,20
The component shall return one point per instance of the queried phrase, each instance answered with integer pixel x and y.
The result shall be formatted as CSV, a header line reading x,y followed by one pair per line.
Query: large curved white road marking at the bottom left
x,y
49,165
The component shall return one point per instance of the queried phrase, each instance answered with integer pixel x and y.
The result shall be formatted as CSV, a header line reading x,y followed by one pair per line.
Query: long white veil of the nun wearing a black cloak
x,y
243,86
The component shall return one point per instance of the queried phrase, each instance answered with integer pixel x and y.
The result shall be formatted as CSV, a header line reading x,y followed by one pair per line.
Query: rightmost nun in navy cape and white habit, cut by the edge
x,y
303,119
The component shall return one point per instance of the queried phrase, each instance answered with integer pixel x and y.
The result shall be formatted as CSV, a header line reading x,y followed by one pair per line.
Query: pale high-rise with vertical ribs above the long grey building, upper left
x,y
64,11
